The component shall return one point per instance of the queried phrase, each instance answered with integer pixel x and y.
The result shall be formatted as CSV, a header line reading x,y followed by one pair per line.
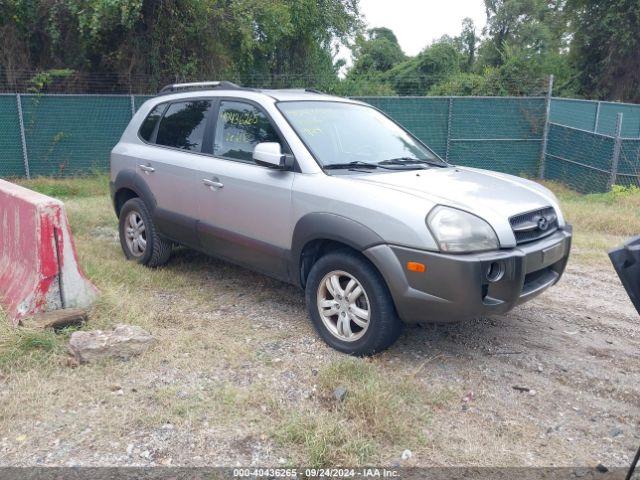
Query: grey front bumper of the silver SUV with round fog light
x,y
455,287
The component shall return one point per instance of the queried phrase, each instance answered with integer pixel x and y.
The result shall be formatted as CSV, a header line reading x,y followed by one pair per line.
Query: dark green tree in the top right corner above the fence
x,y
605,48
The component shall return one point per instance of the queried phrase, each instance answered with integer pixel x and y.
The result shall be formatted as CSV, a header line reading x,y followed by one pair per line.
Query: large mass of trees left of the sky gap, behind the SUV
x,y
276,43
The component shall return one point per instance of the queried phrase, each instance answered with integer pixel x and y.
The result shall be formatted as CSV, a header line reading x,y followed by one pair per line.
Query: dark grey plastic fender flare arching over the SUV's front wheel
x,y
328,226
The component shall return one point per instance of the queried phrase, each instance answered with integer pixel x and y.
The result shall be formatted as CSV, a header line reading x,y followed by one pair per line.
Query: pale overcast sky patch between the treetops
x,y
417,23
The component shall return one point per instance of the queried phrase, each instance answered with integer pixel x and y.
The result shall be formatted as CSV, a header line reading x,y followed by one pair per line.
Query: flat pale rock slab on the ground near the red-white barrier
x,y
124,342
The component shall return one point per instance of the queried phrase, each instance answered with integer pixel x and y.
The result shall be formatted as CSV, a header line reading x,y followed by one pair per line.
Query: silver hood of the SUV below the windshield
x,y
490,195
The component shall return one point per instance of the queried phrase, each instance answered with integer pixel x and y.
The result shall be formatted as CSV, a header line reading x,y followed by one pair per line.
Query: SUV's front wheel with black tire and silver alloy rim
x,y
382,326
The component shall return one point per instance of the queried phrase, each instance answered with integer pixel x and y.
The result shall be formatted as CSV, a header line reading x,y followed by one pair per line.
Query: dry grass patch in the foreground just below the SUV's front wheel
x,y
380,410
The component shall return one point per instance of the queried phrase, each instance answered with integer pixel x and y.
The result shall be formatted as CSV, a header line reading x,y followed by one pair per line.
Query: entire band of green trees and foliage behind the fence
x,y
591,47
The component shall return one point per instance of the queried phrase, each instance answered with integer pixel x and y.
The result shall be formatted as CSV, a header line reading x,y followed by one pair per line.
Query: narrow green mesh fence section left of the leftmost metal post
x,y
11,159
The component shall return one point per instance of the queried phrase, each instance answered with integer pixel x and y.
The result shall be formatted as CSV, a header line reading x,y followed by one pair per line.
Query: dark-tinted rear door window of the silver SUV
x,y
183,125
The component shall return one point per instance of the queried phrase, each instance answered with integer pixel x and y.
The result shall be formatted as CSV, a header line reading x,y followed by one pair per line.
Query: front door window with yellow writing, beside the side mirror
x,y
240,127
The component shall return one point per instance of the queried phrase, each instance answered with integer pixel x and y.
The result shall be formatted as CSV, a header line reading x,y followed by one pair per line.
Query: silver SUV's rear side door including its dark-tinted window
x,y
167,166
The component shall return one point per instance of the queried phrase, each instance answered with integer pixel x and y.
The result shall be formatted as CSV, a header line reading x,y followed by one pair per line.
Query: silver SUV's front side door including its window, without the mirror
x,y
244,208
